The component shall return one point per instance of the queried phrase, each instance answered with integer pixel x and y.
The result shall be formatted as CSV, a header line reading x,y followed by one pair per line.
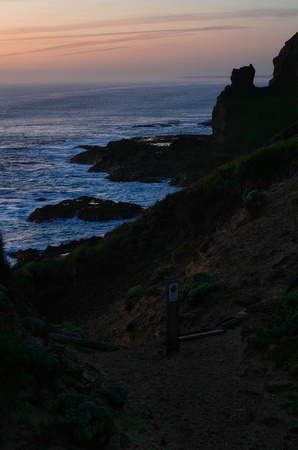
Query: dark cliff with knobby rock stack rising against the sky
x,y
245,116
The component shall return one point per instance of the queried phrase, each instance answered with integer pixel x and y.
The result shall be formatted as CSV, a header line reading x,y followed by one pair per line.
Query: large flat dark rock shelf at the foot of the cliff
x,y
150,160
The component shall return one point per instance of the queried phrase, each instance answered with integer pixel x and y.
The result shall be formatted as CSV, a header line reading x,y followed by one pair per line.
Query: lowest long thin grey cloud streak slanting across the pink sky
x,y
121,38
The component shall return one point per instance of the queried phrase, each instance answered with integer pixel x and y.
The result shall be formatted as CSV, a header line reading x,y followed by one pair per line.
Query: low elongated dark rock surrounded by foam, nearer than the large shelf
x,y
86,208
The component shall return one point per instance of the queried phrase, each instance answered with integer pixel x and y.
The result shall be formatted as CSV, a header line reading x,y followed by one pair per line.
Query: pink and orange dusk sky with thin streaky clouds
x,y
140,40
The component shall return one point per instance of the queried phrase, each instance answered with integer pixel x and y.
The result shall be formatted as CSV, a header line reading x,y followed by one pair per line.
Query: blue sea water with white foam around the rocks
x,y
41,125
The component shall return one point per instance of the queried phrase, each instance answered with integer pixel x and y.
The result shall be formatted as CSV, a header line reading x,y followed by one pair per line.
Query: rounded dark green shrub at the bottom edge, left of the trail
x,y
83,418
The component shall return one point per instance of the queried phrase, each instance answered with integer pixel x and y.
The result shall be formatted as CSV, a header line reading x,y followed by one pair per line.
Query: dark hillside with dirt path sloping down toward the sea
x,y
232,257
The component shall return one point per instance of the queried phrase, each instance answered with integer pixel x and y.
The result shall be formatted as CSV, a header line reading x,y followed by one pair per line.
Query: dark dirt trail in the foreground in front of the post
x,y
210,395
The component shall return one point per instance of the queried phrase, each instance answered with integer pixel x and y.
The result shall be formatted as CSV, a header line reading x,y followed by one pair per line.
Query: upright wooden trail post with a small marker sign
x,y
173,328
